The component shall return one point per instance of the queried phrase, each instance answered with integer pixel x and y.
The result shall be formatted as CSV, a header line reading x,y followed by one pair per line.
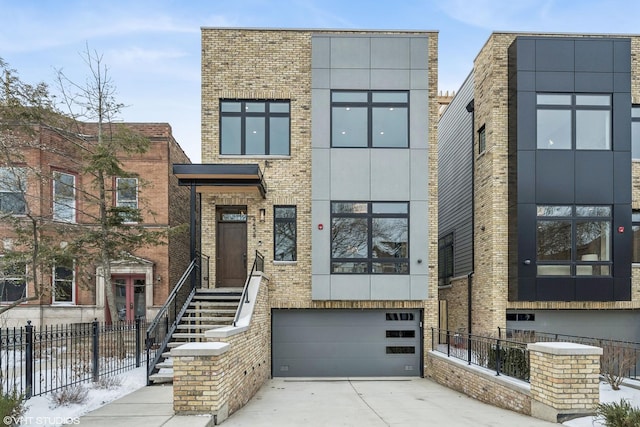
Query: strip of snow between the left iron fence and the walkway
x,y
41,411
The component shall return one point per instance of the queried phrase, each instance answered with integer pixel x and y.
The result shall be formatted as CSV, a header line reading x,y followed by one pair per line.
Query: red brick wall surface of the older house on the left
x,y
163,205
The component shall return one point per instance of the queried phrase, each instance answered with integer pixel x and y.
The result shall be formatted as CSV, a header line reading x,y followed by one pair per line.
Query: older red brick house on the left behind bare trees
x,y
58,190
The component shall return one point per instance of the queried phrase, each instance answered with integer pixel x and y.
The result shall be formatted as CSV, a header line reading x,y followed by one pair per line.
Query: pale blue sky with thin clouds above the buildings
x,y
152,47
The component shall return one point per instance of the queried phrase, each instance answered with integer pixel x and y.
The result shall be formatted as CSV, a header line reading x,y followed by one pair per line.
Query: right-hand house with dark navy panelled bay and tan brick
x,y
538,188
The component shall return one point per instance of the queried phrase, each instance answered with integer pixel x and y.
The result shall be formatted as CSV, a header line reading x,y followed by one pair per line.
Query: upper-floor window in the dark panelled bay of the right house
x,y
573,121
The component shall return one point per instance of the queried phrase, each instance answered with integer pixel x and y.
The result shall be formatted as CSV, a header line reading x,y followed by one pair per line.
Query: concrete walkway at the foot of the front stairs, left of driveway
x,y
148,406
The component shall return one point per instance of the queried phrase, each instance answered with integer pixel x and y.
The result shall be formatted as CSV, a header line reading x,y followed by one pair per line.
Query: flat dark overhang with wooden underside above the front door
x,y
222,178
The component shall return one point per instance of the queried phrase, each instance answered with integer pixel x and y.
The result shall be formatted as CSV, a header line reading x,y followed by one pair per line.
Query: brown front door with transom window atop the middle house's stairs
x,y
231,246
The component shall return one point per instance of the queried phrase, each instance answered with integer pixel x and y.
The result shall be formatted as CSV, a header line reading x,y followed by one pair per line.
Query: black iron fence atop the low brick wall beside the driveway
x,y
505,357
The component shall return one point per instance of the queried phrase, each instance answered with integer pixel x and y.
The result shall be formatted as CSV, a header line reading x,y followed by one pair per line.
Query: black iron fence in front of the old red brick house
x,y
35,361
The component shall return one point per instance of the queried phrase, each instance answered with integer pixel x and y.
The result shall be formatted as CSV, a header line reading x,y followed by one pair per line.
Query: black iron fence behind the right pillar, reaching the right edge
x,y
623,357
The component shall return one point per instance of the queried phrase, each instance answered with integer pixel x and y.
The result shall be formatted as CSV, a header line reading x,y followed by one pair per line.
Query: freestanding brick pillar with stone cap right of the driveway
x,y
564,380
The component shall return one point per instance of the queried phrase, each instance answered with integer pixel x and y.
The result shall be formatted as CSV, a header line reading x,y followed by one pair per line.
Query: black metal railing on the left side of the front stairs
x,y
166,321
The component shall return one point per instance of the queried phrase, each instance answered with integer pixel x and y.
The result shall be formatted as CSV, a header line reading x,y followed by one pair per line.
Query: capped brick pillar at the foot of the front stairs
x,y
199,381
